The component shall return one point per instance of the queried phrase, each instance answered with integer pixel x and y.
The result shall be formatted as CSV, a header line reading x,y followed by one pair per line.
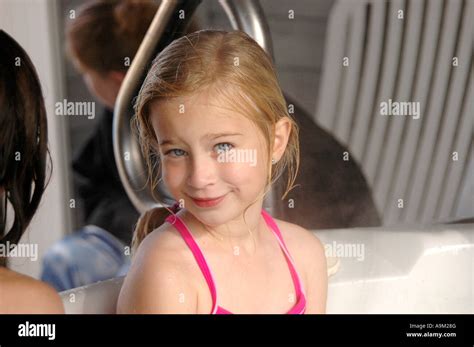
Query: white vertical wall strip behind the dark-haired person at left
x,y
33,23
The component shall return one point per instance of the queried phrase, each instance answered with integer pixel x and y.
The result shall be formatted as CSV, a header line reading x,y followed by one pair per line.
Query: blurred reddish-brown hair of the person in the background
x,y
104,35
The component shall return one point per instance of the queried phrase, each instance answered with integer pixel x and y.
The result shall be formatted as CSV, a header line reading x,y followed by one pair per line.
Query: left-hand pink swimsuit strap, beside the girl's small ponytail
x,y
189,239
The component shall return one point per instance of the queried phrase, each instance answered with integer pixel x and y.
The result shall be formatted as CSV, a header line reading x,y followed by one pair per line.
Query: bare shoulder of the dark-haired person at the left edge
x,y
21,294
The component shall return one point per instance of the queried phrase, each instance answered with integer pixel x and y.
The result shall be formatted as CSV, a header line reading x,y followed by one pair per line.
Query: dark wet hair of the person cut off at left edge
x,y
23,139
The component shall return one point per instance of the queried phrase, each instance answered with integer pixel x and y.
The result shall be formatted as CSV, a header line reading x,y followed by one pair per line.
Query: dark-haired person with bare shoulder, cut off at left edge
x,y
23,173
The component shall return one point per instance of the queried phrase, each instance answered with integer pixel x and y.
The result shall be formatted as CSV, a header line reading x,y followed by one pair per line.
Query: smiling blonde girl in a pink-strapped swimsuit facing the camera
x,y
212,112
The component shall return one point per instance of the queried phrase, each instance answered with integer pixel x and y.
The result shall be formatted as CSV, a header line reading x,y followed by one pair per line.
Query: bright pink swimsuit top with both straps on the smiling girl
x,y
298,308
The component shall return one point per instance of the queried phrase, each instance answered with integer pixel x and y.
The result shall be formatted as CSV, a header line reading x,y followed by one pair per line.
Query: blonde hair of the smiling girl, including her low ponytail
x,y
229,65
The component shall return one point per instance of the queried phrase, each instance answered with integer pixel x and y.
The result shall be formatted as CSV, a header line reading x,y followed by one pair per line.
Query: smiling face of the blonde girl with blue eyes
x,y
210,152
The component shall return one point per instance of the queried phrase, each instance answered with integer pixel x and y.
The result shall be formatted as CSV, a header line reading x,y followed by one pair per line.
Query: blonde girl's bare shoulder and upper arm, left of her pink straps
x,y
156,283
